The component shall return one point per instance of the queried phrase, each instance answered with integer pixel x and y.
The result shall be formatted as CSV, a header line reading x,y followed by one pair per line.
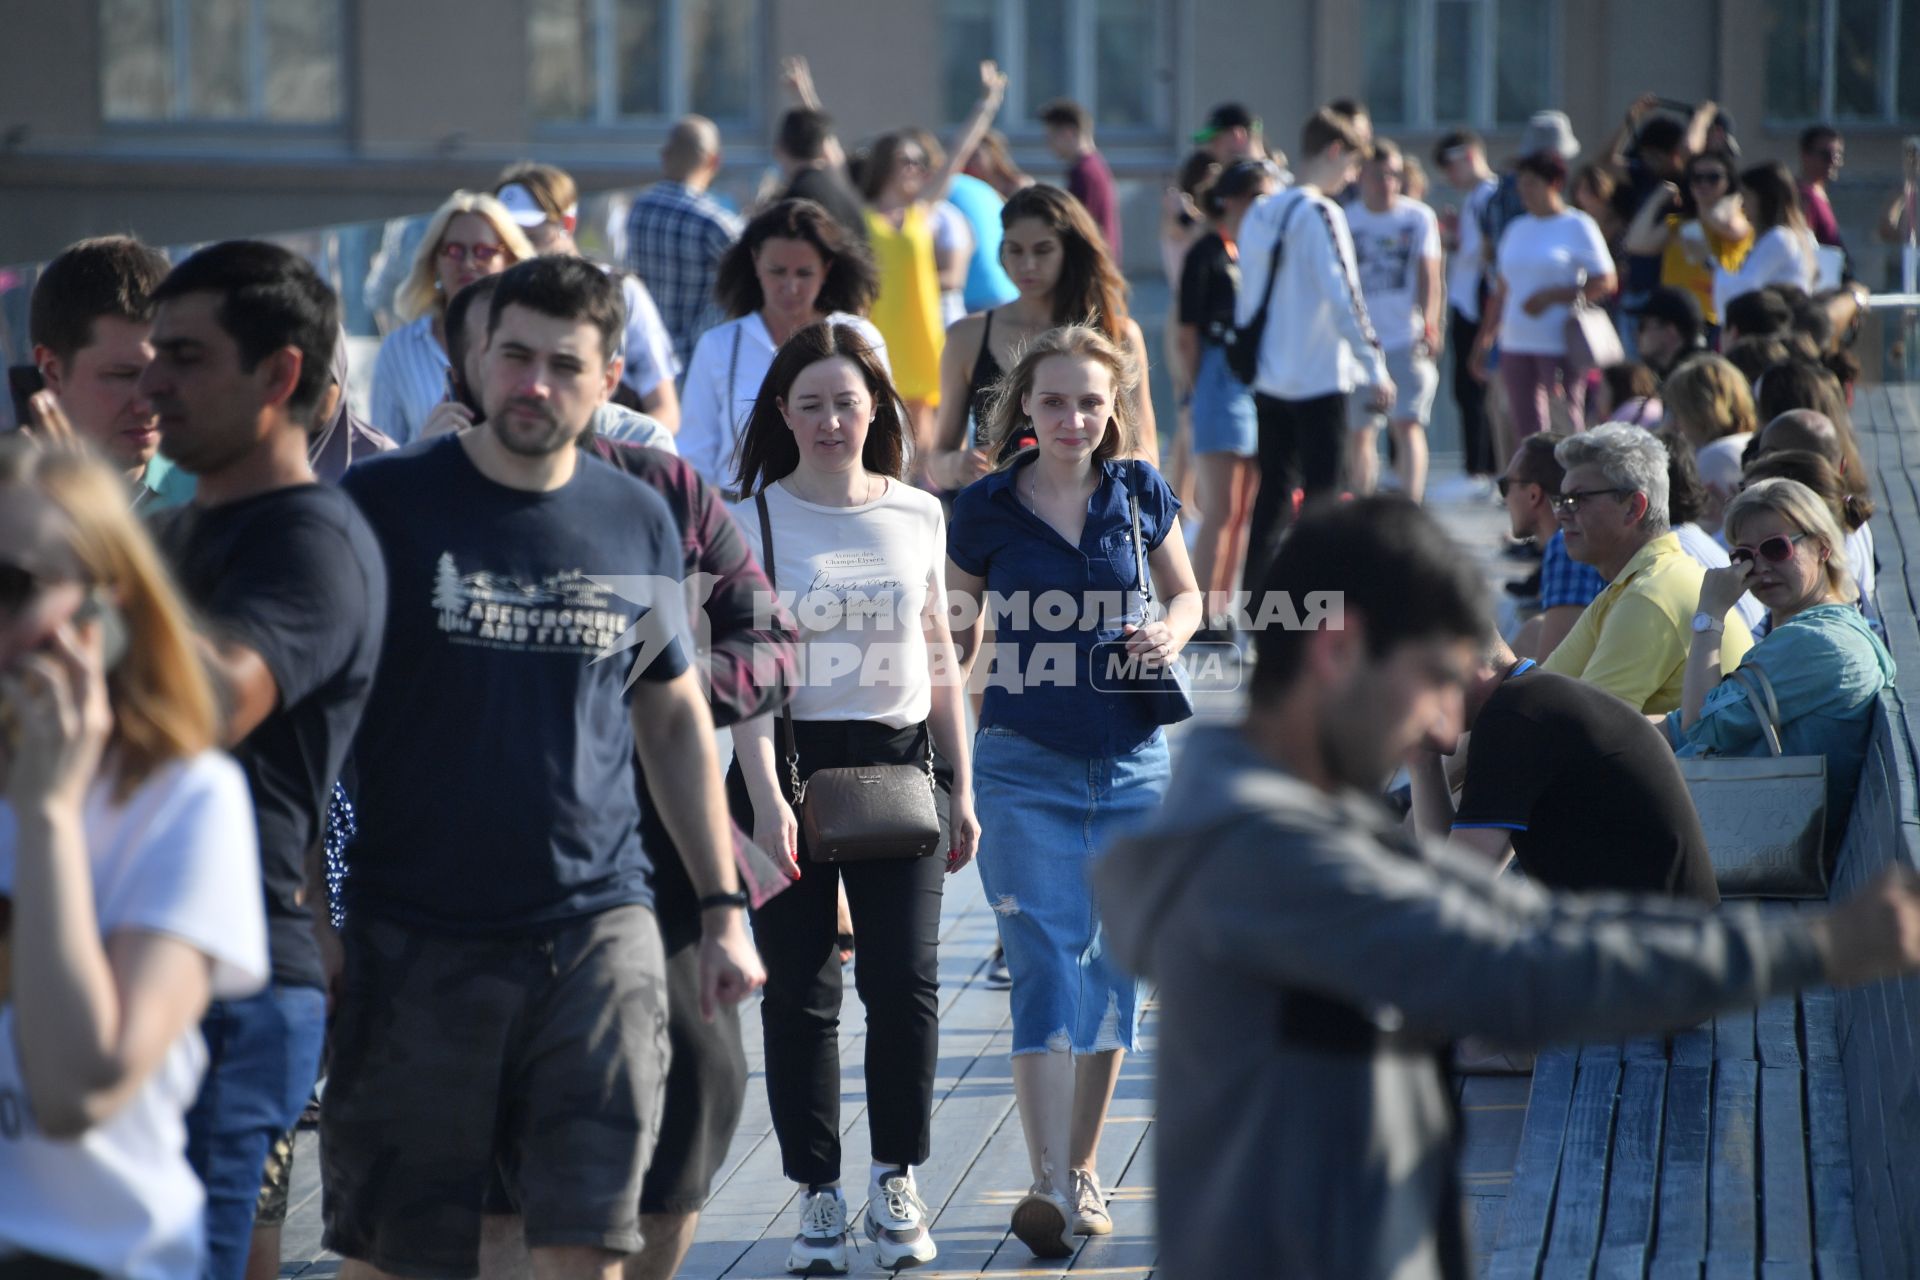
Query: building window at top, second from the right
x,y
1458,62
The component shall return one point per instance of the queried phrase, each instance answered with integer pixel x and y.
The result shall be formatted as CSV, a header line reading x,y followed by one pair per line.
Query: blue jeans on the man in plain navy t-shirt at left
x,y
264,1055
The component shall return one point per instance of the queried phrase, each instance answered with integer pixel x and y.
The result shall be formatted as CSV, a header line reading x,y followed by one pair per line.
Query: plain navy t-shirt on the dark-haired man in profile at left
x,y
297,577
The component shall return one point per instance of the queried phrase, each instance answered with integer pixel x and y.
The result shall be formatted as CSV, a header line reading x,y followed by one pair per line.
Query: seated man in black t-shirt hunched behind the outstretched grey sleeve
x,y
1579,784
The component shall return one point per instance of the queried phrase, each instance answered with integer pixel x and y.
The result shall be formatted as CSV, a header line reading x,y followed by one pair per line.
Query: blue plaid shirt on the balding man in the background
x,y
675,239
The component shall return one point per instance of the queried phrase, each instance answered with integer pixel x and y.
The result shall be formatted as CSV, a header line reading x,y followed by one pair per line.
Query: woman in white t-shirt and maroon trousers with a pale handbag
x,y
1545,262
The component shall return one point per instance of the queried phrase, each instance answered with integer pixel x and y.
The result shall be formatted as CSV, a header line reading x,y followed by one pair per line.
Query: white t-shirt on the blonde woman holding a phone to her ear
x,y
178,859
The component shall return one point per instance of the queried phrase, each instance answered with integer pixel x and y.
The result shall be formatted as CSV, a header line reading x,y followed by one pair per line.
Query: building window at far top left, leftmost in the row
x,y
270,62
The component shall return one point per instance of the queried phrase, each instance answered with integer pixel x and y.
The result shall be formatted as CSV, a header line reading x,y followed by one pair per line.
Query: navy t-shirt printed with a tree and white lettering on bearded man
x,y
496,759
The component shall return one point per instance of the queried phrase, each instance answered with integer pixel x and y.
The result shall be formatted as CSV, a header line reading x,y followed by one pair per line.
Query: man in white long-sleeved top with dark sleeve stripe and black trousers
x,y
1318,343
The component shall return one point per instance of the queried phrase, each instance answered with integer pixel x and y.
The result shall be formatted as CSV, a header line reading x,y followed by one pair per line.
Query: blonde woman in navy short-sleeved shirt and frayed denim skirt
x,y
1063,767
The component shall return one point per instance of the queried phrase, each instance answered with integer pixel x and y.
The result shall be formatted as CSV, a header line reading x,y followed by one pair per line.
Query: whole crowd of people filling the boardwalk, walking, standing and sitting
x,y
314,759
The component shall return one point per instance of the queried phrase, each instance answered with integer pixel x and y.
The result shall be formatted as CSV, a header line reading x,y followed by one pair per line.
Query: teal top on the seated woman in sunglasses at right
x,y
1827,669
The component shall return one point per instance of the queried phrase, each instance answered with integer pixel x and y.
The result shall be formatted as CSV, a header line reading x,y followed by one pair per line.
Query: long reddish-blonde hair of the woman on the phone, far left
x,y
160,694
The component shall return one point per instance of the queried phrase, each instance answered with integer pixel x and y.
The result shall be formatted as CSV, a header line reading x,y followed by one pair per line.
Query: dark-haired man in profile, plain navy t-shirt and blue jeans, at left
x,y
293,594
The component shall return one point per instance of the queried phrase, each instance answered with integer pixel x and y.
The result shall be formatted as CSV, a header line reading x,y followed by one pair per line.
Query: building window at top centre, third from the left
x,y
1113,57
